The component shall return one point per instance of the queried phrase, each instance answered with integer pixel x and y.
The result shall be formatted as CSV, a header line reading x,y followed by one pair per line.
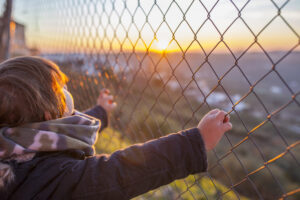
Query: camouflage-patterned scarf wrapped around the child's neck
x,y
78,131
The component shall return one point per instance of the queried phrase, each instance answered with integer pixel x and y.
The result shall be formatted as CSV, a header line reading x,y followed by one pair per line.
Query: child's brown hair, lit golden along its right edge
x,y
30,89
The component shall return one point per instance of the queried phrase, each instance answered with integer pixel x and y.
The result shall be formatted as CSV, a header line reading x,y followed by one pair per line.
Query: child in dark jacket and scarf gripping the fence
x,y
46,147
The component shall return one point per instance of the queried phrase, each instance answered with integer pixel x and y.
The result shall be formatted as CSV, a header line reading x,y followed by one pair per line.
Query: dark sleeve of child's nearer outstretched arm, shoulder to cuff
x,y
142,167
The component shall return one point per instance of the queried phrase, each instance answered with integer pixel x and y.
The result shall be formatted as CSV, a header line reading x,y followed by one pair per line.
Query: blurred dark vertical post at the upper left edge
x,y
5,30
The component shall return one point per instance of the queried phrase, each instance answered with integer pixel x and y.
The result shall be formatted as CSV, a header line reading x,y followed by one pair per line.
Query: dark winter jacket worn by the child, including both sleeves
x,y
122,175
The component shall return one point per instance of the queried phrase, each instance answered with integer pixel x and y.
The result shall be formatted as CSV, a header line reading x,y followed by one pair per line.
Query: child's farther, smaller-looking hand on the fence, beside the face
x,y
106,100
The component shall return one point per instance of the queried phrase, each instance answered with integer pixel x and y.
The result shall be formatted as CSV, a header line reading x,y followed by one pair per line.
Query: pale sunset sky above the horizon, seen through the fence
x,y
66,25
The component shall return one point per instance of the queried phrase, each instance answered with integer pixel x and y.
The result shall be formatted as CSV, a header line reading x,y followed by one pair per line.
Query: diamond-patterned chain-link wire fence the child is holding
x,y
168,63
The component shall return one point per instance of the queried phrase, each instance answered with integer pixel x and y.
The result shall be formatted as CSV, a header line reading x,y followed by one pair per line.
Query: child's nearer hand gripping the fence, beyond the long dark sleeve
x,y
212,127
